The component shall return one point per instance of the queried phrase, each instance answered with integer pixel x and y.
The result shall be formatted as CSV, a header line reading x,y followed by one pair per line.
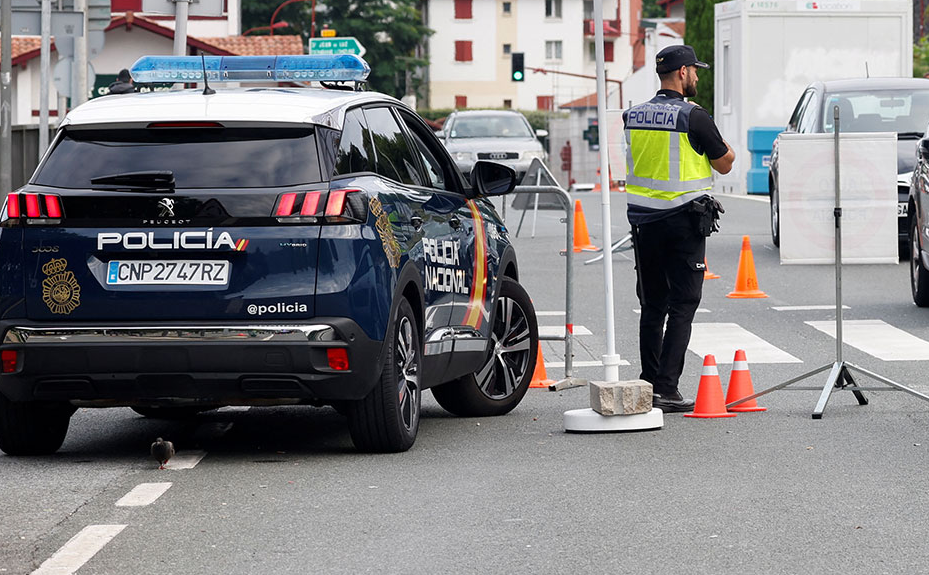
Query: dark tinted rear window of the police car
x,y
199,158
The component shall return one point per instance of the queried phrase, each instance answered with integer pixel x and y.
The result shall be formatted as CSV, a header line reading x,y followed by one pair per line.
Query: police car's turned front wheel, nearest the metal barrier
x,y
501,382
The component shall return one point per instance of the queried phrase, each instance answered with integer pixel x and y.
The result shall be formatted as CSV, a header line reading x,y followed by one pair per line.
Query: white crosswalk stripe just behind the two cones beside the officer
x,y
723,339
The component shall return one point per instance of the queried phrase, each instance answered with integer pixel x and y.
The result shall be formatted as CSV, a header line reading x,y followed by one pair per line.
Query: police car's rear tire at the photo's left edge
x,y
33,428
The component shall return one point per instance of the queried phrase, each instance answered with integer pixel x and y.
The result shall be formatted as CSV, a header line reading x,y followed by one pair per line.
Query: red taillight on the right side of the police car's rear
x,y
340,206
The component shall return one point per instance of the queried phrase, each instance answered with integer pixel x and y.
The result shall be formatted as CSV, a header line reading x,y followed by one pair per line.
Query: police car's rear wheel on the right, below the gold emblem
x,y
387,420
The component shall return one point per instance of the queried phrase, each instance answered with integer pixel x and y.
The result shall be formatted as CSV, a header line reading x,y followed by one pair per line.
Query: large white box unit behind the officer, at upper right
x,y
768,51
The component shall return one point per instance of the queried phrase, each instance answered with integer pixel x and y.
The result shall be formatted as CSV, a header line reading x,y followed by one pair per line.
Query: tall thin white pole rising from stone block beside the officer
x,y
611,358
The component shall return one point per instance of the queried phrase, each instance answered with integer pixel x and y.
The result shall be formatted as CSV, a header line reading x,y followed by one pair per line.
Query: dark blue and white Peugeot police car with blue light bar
x,y
180,251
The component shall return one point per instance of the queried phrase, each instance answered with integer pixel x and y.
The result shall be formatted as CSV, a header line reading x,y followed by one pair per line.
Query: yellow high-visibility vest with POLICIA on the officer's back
x,y
663,171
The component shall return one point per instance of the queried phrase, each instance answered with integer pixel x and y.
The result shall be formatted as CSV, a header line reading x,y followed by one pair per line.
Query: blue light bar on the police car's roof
x,y
300,68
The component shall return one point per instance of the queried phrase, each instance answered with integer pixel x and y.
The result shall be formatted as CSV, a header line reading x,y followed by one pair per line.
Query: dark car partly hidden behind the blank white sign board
x,y
898,105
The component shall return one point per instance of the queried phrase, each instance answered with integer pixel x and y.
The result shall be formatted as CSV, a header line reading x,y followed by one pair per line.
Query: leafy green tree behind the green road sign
x,y
392,32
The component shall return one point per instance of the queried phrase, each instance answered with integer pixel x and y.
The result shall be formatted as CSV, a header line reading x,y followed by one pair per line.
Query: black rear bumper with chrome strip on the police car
x,y
208,364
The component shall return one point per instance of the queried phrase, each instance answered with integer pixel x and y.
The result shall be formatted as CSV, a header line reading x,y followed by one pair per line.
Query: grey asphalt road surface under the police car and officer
x,y
281,490
